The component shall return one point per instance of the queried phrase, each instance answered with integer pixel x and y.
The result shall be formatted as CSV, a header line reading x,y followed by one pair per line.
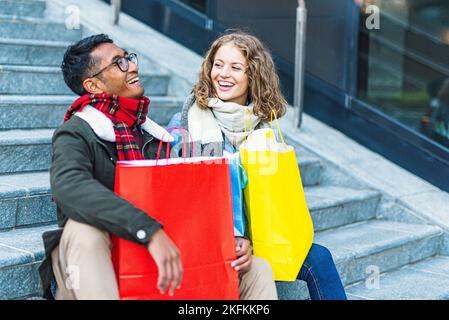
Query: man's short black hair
x,y
78,61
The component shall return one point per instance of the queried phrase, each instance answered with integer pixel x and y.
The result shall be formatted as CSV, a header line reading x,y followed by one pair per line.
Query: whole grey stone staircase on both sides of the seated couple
x,y
33,99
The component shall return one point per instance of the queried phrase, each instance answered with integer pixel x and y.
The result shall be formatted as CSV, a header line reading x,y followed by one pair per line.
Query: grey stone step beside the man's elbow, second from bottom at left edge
x,y
25,199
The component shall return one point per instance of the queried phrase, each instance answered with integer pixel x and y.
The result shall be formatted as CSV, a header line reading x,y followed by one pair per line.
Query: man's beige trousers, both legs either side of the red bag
x,y
83,269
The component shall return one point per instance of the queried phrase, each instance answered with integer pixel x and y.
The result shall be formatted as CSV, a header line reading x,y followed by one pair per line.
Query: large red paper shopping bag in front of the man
x,y
192,199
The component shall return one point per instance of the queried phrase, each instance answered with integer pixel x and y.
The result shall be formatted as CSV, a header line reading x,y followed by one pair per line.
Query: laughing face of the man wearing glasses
x,y
113,80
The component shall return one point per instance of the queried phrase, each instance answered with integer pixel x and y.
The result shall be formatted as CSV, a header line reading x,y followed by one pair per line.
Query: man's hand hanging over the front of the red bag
x,y
168,261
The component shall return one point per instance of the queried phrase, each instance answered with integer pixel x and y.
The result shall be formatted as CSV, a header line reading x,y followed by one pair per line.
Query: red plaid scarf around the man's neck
x,y
124,113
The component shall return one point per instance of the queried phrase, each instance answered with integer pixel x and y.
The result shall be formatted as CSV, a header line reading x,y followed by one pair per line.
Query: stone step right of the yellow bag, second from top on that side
x,y
332,207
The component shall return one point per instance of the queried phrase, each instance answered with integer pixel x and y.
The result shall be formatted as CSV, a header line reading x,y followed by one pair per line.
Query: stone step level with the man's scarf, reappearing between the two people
x,y
38,112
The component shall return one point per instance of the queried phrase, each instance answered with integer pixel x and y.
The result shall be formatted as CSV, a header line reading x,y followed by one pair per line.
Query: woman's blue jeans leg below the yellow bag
x,y
321,275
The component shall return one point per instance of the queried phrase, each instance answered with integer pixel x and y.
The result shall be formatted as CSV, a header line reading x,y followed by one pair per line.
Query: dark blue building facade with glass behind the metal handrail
x,y
377,70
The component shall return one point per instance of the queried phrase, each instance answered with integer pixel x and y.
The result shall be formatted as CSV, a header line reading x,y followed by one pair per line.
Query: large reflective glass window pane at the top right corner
x,y
404,64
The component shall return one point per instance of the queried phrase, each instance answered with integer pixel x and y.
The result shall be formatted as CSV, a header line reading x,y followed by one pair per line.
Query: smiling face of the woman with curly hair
x,y
229,76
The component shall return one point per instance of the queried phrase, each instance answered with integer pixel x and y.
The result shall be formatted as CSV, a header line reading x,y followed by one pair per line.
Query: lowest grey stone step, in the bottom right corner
x,y
425,280
